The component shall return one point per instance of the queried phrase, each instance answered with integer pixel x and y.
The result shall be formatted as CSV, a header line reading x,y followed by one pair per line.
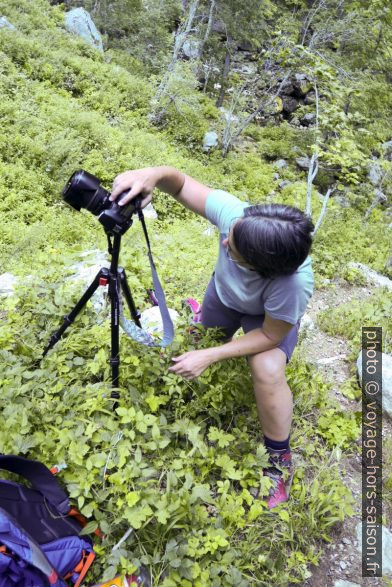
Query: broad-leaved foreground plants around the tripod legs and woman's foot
x,y
176,460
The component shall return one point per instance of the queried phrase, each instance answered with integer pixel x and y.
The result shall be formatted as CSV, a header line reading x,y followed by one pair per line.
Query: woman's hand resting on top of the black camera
x,y
134,183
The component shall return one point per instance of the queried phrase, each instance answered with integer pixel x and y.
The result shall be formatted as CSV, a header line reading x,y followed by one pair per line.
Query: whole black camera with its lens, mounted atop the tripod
x,y
84,190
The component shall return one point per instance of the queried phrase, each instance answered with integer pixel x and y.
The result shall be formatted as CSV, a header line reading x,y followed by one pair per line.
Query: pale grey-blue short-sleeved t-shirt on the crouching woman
x,y
284,298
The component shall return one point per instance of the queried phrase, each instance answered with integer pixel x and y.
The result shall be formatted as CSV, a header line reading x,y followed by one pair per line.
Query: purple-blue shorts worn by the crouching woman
x,y
214,314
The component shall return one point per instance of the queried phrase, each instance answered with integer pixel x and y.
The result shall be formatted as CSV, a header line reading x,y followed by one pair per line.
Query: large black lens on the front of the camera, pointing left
x,y
83,190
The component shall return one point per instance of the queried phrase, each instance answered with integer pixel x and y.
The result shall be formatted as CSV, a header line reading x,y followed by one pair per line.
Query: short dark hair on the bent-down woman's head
x,y
275,239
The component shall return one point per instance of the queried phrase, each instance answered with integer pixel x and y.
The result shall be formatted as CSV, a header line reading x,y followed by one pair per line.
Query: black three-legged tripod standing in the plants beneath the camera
x,y
116,278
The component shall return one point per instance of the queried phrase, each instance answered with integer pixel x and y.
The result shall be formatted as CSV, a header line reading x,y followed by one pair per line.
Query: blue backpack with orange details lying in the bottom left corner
x,y
40,544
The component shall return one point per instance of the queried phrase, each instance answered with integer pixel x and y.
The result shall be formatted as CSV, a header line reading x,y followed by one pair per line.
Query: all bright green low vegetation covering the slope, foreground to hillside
x,y
176,461
